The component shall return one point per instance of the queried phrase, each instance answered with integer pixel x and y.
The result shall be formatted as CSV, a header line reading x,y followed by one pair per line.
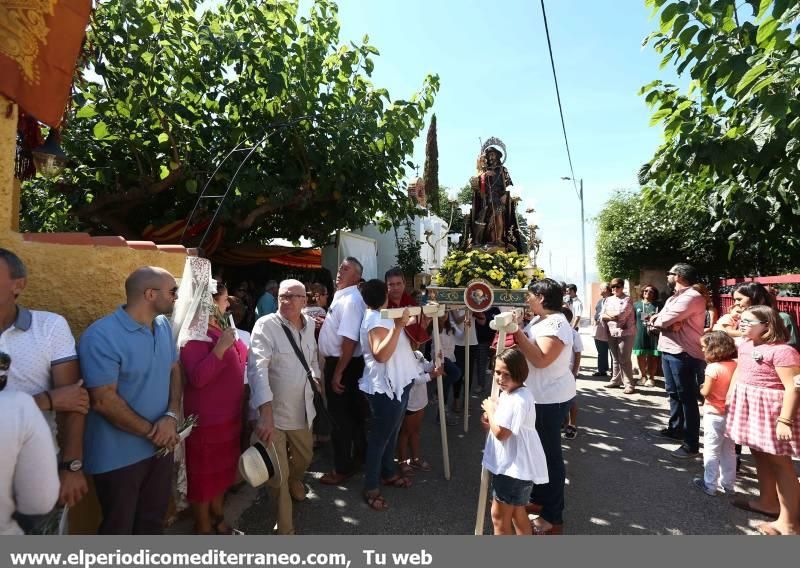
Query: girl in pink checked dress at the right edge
x,y
764,413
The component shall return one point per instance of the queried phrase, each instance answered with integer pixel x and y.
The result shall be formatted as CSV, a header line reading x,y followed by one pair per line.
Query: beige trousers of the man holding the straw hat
x,y
295,449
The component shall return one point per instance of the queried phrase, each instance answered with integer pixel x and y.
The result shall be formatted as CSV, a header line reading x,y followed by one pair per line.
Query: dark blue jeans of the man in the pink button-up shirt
x,y
680,372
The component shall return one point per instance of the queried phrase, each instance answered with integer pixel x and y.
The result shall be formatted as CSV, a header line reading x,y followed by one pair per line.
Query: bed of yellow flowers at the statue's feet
x,y
502,269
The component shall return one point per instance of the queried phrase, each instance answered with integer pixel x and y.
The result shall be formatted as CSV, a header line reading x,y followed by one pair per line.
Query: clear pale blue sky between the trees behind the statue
x,y
496,81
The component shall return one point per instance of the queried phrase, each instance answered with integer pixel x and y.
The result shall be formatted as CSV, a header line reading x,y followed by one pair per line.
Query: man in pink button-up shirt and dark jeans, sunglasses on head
x,y
681,324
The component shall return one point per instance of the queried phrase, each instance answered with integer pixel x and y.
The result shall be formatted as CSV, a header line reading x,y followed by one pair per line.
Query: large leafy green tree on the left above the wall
x,y
167,90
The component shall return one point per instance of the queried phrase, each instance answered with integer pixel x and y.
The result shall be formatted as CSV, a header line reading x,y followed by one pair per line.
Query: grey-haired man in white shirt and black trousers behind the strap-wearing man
x,y
344,365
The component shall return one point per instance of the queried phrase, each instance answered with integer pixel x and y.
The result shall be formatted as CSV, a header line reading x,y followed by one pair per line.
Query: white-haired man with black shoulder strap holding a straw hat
x,y
281,366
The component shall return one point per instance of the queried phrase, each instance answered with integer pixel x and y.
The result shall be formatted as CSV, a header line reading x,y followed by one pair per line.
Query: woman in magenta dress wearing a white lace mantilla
x,y
214,390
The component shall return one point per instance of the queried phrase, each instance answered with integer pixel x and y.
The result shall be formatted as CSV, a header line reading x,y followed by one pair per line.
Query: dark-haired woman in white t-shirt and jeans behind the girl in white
x,y
547,344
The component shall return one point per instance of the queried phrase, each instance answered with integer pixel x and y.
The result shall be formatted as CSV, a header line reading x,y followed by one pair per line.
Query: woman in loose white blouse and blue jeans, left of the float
x,y
389,371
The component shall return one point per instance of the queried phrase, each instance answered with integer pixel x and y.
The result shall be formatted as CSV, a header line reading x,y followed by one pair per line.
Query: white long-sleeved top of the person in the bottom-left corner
x,y
28,471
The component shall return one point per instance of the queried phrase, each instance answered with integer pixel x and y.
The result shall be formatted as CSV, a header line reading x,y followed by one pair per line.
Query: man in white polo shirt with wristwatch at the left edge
x,y
44,364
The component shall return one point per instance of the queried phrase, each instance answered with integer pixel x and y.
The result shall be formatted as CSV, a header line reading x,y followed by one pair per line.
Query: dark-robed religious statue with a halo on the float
x,y
493,219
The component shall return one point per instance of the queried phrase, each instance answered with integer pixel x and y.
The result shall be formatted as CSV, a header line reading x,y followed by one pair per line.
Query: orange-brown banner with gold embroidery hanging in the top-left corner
x,y
39,44
